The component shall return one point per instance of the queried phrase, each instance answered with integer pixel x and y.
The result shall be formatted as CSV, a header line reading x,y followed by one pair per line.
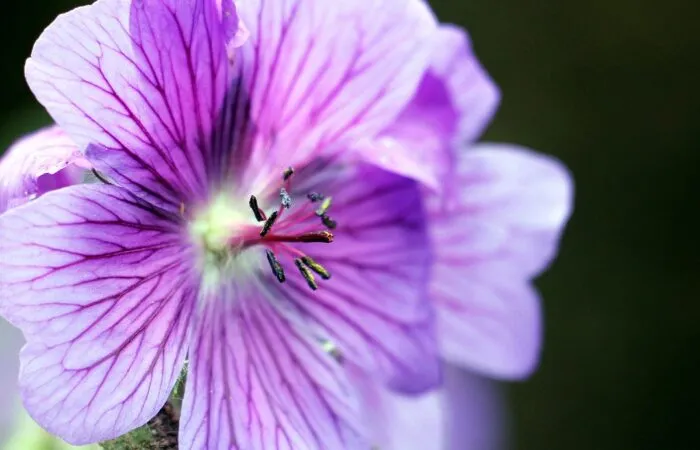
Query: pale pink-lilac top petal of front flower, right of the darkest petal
x,y
318,76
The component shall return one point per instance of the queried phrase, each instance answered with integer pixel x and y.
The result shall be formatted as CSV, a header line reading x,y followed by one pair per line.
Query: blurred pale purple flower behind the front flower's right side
x,y
494,225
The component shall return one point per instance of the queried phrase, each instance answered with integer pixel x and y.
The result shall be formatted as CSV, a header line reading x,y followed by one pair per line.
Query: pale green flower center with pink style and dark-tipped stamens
x,y
226,229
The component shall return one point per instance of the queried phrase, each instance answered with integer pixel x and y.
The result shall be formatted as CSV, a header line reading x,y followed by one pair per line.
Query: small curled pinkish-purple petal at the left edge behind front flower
x,y
42,161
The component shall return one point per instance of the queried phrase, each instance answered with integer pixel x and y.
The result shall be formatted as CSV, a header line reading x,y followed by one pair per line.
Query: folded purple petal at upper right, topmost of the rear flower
x,y
454,103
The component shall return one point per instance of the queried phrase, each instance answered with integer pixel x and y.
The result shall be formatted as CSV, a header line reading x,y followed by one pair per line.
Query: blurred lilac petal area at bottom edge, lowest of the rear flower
x,y
466,414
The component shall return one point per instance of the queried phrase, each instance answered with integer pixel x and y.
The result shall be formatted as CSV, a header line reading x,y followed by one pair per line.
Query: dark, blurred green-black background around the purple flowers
x,y
608,86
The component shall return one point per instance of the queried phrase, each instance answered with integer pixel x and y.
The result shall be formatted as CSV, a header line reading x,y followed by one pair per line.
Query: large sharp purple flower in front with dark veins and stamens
x,y
187,247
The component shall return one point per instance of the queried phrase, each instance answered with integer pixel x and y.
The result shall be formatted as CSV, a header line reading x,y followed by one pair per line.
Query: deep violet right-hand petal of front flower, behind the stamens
x,y
374,308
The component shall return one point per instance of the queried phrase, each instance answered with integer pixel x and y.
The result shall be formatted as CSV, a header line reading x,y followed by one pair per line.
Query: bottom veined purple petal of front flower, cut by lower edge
x,y
255,382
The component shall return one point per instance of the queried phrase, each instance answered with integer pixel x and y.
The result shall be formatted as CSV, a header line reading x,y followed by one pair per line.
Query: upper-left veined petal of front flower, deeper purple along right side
x,y
143,82
